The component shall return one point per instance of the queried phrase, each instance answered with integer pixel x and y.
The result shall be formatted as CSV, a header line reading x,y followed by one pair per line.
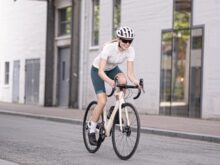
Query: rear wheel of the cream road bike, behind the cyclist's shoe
x,y
86,119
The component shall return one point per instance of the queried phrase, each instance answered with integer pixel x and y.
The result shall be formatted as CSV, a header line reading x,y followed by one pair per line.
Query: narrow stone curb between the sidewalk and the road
x,y
155,131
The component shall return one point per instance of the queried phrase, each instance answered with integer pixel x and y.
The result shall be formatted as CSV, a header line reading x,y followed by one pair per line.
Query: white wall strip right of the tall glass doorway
x,y
207,13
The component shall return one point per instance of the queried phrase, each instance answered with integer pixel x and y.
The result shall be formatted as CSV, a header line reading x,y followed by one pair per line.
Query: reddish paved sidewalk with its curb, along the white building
x,y
207,130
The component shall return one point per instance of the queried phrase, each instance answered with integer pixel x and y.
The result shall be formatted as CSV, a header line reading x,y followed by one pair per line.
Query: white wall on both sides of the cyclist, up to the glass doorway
x,y
148,18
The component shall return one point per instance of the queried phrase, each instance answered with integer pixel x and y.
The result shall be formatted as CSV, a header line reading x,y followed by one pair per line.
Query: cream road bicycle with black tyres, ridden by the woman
x,y
121,122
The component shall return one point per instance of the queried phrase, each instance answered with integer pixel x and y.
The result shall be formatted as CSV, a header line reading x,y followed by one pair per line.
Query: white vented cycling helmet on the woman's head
x,y
126,33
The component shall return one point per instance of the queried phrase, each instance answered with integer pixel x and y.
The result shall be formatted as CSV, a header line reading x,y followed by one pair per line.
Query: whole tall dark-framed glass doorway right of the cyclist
x,y
181,70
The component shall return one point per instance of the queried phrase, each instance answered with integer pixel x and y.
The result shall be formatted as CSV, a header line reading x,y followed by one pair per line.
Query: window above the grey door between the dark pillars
x,y
65,16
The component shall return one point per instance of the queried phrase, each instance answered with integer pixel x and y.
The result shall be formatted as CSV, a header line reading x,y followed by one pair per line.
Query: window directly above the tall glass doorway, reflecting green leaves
x,y
182,14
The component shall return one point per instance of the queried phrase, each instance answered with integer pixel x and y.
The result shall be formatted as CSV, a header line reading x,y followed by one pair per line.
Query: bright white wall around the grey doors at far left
x,y
22,36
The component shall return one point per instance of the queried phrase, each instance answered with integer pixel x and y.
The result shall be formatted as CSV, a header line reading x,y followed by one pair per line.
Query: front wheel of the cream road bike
x,y
125,141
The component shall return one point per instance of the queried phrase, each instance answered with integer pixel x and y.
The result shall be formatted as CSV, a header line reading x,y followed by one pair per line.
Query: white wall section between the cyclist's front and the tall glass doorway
x,y
148,18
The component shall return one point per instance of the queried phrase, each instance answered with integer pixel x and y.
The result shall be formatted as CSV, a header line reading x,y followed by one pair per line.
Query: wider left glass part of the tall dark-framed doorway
x,y
175,73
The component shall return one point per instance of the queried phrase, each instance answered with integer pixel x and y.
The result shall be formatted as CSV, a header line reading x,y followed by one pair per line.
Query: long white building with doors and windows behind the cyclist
x,y
176,51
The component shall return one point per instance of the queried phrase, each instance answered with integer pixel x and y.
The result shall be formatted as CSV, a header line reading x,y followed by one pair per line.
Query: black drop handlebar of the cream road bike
x,y
124,86
